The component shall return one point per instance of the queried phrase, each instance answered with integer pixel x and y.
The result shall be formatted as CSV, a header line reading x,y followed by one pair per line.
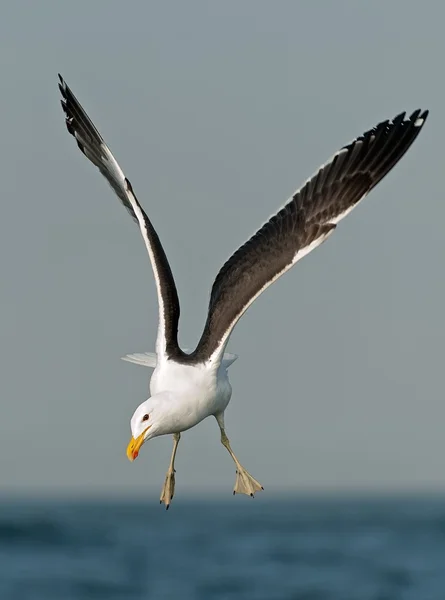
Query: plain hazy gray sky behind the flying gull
x,y
217,113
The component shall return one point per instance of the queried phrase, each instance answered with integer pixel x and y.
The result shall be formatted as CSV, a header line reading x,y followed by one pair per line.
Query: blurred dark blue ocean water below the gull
x,y
274,549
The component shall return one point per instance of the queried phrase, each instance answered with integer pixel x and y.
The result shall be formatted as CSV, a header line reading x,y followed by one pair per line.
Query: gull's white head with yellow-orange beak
x,y
151,419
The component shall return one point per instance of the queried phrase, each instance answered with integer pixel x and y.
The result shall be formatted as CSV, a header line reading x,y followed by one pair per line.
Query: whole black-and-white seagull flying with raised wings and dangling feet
x,y
186,387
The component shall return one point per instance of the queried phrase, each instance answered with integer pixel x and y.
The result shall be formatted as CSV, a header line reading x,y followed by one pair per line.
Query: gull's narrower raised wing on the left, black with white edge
x,y
93,146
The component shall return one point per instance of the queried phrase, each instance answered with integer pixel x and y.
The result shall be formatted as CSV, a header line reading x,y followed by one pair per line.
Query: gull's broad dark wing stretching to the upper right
x,y
308,218
